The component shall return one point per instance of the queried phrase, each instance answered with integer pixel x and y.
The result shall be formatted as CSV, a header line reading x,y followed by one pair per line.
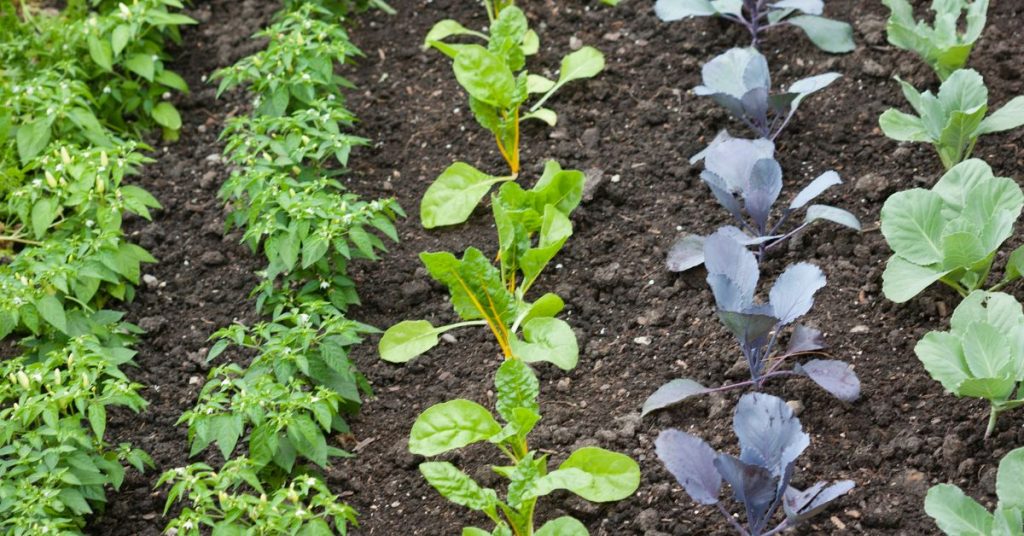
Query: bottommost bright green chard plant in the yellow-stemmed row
x,y
592,473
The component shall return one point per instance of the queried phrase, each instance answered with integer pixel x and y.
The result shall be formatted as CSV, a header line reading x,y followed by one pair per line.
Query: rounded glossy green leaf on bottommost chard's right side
x,y
616,476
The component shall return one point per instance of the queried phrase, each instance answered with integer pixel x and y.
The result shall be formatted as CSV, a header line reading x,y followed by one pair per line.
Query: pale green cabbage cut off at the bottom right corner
x,y
958,515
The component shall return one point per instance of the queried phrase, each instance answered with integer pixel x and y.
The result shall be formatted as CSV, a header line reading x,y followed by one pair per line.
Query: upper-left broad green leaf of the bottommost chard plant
x,y
451,426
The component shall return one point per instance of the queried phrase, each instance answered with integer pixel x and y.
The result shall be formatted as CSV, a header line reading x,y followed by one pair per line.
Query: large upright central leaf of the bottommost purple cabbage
x,y
771,436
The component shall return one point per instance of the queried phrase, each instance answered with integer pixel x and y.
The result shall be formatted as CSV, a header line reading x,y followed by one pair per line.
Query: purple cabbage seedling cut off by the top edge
x,y
758,16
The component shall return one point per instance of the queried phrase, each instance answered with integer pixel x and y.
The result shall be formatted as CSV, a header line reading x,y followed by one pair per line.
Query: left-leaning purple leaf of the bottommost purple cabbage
x,y
692,462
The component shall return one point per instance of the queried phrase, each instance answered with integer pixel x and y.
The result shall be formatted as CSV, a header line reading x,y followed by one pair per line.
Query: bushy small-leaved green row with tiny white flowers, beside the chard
x,y
273,420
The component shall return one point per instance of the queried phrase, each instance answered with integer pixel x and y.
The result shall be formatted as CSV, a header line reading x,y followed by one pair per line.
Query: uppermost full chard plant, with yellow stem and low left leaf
x,y
499,87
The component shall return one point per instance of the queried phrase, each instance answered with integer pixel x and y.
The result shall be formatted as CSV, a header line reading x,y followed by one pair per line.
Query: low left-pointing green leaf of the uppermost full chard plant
x,y
452,198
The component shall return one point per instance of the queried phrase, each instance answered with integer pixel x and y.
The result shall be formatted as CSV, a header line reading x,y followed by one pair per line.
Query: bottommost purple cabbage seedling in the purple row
x,y
771,441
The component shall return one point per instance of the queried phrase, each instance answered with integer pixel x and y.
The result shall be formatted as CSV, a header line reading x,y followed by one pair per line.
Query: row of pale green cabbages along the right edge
x,y
953,234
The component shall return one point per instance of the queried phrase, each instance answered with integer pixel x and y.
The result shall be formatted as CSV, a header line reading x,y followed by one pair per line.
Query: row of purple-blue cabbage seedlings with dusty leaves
x,y
746,180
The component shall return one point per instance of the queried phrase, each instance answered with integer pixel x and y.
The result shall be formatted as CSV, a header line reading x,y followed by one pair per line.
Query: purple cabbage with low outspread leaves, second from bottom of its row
x,y
733,275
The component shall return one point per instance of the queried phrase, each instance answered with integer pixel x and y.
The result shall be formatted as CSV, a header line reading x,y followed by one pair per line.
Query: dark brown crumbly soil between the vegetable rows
x,y
639,326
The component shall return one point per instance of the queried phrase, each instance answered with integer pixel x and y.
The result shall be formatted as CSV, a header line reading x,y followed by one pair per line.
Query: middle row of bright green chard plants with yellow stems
x,y
533,227
